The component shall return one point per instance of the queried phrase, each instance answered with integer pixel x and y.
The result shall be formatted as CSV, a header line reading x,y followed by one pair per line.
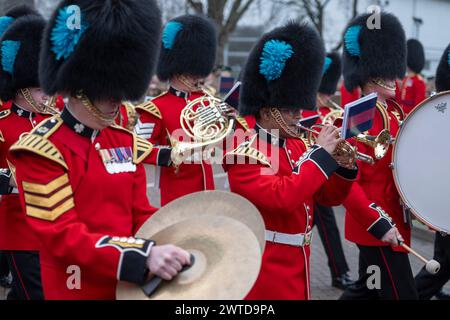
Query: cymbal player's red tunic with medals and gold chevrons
x,y
81,208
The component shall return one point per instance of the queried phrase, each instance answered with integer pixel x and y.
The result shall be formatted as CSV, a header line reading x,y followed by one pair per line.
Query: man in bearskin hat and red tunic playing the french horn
x,y
188,52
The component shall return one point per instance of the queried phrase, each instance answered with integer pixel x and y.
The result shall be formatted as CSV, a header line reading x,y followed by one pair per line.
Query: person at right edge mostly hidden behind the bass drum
x,y
429,285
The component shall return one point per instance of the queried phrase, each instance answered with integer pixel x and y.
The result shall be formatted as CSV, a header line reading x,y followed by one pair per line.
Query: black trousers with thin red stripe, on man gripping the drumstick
x,y
396,278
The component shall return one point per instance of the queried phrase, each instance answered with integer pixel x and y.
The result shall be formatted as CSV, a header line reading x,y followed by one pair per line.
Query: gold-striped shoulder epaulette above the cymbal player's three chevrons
x,y
37,141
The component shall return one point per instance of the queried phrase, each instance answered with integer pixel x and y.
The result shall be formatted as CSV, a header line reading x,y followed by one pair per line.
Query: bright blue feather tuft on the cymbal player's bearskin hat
x,y
64,36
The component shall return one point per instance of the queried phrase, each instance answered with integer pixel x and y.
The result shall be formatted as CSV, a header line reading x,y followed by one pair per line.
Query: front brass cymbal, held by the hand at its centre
x,y
227,261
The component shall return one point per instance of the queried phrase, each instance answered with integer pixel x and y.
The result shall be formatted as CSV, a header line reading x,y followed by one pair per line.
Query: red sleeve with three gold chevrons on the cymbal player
x,y
68,239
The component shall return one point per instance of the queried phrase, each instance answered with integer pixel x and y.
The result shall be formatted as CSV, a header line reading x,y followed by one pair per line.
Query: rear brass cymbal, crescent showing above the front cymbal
x,y
207,203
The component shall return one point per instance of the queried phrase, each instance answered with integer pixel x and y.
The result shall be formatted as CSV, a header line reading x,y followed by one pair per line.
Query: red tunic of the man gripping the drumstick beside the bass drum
x,y
365,223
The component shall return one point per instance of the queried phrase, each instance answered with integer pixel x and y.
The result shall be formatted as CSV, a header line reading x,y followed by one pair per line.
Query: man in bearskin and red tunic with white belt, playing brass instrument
x,y
272,170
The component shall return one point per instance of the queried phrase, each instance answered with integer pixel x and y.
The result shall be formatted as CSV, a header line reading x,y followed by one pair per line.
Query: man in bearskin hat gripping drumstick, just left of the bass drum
x,y
375,221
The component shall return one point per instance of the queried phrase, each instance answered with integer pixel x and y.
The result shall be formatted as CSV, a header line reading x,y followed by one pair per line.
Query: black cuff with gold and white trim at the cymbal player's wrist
x,y
133,259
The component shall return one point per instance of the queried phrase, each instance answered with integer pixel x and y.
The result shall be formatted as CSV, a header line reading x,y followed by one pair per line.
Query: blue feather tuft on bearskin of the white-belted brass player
x,y
273,58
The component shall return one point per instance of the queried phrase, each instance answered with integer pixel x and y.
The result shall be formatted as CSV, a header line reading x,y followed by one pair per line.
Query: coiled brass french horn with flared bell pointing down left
x,y
204,120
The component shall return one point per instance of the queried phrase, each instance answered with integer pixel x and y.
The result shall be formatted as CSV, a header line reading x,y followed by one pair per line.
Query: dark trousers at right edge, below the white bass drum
x,y
430,284
